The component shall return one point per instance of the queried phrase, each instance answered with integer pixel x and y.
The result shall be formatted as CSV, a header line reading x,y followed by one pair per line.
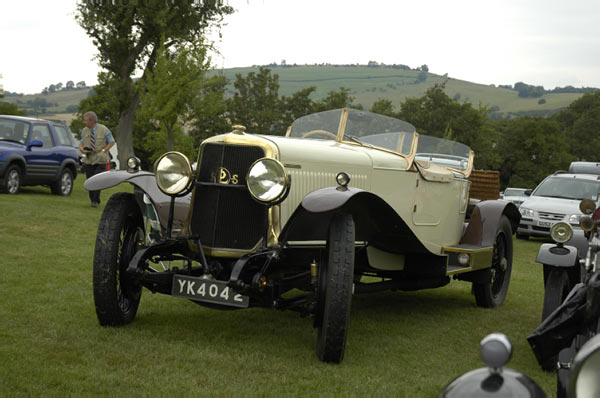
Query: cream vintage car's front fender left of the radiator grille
x,y
144,181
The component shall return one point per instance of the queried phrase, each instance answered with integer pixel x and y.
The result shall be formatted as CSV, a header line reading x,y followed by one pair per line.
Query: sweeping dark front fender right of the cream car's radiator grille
x,y
375,220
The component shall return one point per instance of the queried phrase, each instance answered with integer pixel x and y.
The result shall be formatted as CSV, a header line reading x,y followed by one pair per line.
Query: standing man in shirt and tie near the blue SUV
x,y
96,140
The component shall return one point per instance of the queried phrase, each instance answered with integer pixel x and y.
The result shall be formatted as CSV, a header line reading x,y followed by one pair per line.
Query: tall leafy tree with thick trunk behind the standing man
x,y
128,36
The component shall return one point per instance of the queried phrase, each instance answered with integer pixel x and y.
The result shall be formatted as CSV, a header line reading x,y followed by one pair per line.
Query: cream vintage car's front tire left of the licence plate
x,y
116,294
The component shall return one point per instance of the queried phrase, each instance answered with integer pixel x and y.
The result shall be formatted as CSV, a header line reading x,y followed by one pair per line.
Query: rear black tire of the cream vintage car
x,y
493,293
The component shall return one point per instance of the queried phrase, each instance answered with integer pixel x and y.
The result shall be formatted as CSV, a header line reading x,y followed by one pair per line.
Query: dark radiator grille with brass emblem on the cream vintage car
x,y
225,216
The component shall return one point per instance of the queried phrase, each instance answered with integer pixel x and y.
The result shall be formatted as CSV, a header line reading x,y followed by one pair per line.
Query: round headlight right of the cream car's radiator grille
x,y
267,181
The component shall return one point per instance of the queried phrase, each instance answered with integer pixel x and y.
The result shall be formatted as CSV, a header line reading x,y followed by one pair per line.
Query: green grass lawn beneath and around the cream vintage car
x,y
404,344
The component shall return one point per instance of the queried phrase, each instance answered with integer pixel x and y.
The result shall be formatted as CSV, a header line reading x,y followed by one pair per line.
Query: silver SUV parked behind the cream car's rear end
x,y
557,198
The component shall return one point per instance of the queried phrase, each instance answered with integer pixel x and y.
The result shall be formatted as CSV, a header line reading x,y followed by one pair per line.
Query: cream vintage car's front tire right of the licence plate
x,y
336,284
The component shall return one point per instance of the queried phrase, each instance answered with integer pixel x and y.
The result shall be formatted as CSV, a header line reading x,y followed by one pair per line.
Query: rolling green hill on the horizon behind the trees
x,y
366,83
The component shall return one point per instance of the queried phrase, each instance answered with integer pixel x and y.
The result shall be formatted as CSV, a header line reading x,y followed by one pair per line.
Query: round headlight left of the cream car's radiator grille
x,y
173,173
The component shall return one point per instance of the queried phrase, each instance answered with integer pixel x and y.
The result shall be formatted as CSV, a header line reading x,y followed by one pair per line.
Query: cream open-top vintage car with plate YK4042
x,y
347,202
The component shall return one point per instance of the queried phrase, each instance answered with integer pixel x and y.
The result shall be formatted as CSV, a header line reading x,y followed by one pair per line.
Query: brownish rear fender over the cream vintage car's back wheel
x,y
484,220
